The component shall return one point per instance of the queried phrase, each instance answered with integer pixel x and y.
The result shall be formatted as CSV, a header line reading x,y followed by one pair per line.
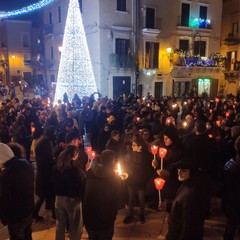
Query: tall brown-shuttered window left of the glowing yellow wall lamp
x,y
151,55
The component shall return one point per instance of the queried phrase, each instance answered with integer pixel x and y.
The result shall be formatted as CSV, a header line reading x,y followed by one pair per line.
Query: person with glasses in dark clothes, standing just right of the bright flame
x,y
140,171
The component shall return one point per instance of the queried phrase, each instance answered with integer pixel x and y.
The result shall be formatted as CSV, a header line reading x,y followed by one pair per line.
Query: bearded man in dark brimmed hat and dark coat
x,y
191,202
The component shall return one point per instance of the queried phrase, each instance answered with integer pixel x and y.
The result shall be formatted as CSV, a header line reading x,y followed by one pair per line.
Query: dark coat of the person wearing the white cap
x,y
16,191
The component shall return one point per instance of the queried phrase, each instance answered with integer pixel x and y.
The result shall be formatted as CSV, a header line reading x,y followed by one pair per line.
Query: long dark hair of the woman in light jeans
x,y
65,158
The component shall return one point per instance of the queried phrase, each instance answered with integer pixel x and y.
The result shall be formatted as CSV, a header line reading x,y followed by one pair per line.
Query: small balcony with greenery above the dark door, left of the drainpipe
x,y
121,61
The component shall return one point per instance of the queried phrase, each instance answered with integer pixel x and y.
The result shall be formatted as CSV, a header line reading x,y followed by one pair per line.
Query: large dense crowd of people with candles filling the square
x,y
201,137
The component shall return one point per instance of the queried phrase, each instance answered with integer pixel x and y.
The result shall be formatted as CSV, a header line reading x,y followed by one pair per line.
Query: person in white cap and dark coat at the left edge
x,y
16,192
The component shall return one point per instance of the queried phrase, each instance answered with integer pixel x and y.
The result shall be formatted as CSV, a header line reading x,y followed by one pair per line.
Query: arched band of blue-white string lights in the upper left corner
x,y
27,9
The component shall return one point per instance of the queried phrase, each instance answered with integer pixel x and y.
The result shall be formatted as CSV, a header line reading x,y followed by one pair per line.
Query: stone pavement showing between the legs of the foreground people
x,y
155,225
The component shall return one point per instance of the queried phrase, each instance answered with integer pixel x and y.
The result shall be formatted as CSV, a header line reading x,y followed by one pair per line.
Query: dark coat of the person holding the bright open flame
x,y
103,198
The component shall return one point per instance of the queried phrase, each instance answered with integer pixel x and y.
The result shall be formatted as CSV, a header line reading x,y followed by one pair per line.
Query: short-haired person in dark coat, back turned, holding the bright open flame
x,y
103,197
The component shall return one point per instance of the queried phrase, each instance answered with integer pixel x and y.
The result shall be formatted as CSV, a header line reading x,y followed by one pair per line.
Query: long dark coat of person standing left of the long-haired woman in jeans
x,y
45,163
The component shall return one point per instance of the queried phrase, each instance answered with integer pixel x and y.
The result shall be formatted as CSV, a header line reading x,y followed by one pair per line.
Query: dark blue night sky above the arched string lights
x,y
8,5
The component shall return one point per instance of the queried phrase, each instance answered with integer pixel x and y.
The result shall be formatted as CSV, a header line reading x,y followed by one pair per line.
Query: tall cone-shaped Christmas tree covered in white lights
x,y
75,75
